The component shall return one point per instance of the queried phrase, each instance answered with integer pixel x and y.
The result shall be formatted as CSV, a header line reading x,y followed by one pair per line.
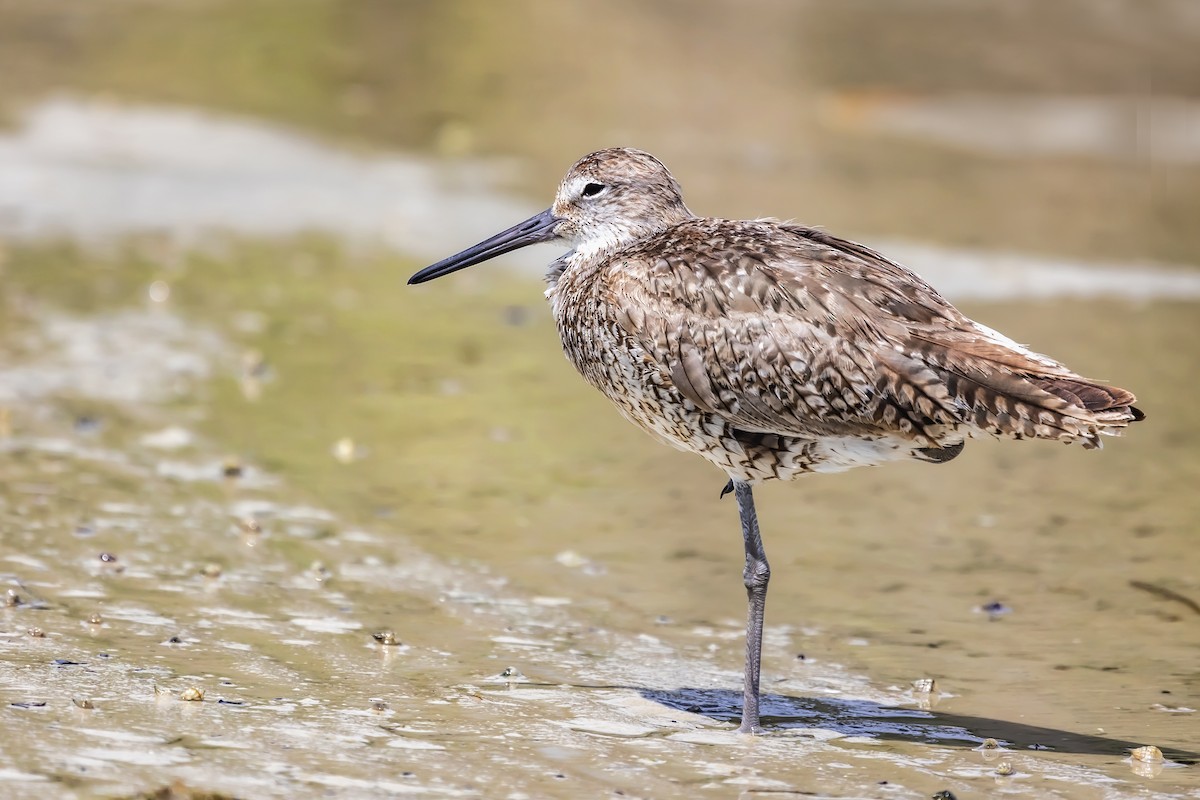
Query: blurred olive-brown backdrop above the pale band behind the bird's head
x,y
877,119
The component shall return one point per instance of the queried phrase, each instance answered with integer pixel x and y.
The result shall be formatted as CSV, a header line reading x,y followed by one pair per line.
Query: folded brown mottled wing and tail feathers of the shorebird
x,y
808,335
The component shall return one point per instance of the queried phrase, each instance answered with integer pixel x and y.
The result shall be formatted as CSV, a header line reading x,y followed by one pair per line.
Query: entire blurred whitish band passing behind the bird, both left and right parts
x,y
95,170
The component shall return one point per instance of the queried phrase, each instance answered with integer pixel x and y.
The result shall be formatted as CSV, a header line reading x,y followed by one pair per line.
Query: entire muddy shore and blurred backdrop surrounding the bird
x,y
215,375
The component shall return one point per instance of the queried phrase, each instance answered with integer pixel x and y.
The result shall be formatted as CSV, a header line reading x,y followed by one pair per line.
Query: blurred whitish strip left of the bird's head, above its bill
x,y
93,170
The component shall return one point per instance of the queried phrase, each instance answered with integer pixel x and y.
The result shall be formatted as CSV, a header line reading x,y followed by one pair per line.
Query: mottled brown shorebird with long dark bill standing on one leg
x,y
773,350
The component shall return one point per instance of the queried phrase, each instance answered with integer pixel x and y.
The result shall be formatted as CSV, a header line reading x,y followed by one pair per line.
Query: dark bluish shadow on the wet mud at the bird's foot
x,y
860,718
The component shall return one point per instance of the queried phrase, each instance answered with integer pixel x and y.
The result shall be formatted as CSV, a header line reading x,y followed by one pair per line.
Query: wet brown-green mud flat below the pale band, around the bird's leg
x,y
374,573
